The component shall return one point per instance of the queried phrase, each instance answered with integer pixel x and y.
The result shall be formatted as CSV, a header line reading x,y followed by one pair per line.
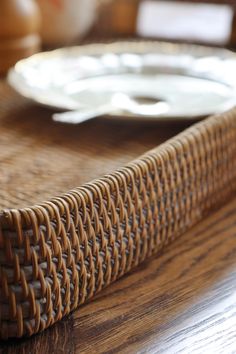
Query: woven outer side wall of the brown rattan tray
x,y
56,255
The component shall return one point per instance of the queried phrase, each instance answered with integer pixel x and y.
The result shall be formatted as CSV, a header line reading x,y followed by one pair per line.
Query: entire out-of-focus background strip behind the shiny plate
x,y
28,26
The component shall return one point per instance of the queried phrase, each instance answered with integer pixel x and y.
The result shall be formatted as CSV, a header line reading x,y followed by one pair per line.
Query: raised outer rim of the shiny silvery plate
x,y
17,82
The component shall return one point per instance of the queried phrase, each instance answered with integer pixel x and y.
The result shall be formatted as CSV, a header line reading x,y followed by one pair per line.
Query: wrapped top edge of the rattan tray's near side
x,y
94,187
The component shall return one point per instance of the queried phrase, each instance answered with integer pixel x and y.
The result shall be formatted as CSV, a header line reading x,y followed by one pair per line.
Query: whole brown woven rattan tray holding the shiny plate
x,y
58,254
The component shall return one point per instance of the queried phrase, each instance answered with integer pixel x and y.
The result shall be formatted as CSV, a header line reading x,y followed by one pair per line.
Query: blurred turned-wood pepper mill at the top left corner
x,y
19,28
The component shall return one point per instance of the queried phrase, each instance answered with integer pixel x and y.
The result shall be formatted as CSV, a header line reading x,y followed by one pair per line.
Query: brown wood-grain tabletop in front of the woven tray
x,y
181,301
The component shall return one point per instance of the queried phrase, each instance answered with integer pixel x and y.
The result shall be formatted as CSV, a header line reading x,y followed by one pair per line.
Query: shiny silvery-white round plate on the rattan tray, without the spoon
x,y
193,81
